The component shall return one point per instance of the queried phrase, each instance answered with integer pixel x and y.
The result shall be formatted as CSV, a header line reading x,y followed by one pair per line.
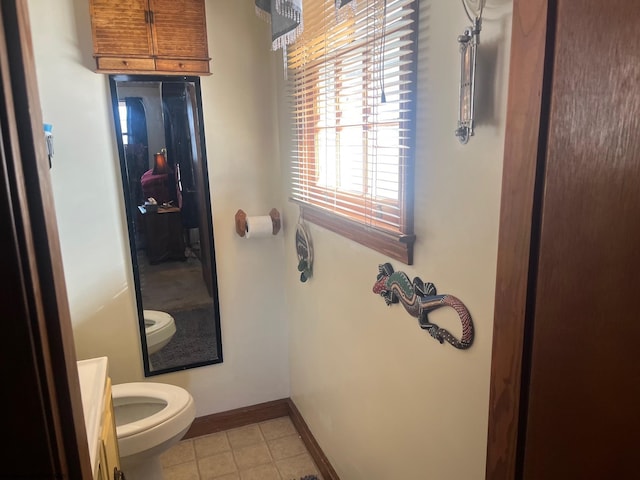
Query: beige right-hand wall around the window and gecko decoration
x,y
383,399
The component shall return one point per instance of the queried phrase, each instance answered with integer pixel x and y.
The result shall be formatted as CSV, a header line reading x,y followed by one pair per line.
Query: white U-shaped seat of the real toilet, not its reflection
x,y
176,399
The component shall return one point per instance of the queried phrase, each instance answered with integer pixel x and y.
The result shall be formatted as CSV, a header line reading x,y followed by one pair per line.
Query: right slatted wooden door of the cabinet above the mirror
x,y
179,29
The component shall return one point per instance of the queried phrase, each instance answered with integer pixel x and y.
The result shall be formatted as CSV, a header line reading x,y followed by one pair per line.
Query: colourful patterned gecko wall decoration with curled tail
x,y
420,298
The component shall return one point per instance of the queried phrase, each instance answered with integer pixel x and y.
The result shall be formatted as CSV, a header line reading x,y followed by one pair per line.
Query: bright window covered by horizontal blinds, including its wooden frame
x,y
352,78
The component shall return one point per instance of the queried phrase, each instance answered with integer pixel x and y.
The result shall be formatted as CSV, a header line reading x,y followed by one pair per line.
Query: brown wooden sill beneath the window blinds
x,y
397,246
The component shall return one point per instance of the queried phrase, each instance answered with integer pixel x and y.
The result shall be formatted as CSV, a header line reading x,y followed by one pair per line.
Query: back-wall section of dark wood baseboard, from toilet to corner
x,y
238,417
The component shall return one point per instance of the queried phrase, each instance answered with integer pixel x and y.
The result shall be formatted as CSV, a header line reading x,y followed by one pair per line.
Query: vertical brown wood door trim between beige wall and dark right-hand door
x,y
521,153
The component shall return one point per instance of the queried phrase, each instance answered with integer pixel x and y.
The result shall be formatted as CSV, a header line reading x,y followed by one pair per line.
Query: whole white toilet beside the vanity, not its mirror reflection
x,y
150,419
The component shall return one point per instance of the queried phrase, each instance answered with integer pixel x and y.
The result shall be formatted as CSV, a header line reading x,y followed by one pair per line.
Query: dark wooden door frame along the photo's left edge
x,y
43,407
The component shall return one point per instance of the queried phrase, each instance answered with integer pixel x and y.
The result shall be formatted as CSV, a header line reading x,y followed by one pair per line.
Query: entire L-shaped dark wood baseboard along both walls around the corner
x,y
262,412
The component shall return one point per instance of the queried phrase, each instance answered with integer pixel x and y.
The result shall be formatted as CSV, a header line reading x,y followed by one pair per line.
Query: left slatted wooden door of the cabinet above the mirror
x,y
121,27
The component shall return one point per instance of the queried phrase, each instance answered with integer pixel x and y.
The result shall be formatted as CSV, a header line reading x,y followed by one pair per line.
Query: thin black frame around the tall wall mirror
x,y
113,79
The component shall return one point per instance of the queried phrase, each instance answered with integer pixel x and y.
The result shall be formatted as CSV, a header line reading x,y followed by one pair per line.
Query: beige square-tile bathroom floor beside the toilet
x,y
270,450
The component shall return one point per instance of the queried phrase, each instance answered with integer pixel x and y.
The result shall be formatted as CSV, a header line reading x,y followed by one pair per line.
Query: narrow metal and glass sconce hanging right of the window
x,y
468,41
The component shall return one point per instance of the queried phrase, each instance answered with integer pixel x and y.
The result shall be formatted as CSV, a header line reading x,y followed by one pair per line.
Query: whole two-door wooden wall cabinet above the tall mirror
x,y
150,36
